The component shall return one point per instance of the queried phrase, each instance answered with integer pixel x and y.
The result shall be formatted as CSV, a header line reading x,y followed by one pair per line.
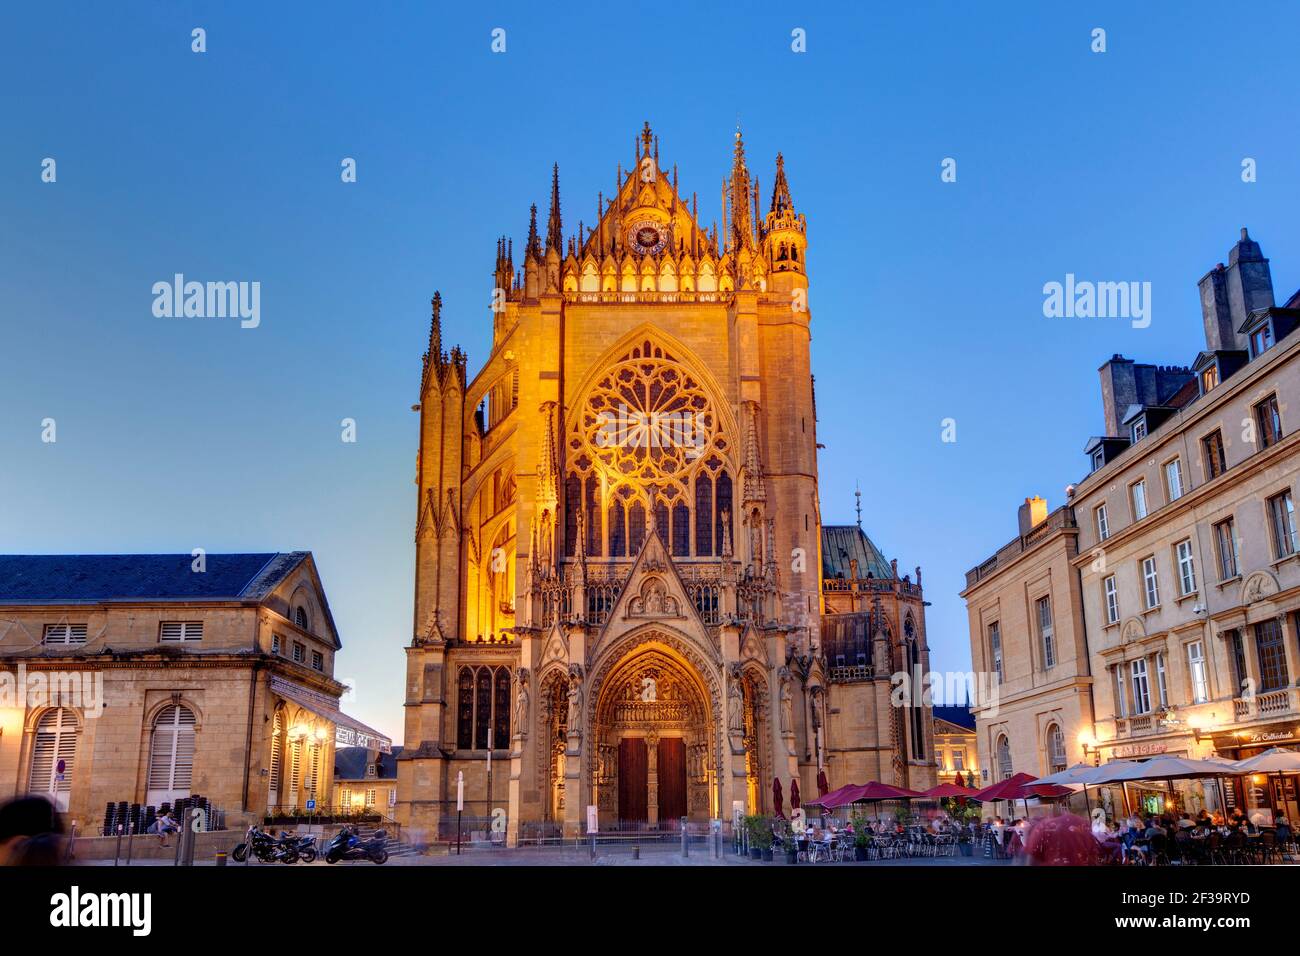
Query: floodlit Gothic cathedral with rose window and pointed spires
x,y
625,596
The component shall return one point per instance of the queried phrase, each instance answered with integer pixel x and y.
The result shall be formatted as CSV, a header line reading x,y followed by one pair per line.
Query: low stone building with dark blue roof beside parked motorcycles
x,y
150,680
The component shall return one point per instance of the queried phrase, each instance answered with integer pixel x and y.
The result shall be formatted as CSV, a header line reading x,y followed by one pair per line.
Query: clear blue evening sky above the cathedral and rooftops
x,y
926,297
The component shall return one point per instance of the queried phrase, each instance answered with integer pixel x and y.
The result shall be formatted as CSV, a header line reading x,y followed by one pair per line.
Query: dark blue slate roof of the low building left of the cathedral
x,y
101,578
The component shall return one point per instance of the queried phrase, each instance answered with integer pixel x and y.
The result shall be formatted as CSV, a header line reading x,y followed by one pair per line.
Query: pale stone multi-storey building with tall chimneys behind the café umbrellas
x,y
1188,561
